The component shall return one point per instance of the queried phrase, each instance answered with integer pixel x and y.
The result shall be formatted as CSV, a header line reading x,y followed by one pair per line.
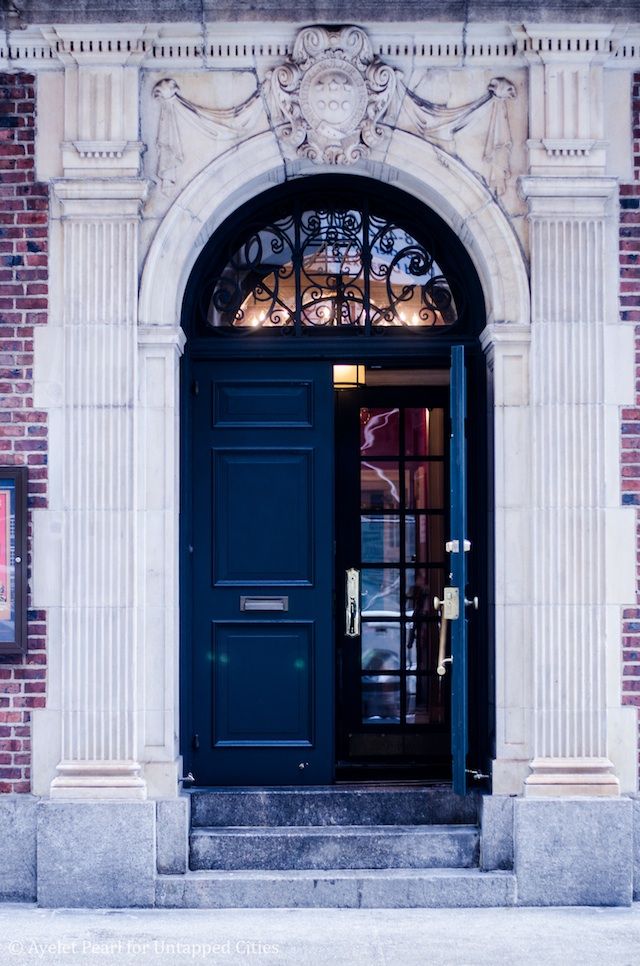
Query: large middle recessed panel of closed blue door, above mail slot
x,y
255,542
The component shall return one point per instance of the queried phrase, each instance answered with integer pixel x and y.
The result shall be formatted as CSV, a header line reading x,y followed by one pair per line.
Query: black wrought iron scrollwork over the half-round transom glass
x,y
328,268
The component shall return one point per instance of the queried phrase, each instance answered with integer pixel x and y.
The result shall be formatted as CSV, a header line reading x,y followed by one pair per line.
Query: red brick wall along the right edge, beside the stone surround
x,y
630,308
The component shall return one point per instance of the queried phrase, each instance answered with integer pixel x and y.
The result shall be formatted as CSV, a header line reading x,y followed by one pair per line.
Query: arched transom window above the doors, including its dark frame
x,y
333,254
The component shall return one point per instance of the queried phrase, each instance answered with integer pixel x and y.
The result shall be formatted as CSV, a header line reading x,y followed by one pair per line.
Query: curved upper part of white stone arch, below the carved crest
x,y
438,180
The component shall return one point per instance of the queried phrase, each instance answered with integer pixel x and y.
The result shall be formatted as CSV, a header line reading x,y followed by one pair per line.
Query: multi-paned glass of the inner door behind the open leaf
x,y
401,523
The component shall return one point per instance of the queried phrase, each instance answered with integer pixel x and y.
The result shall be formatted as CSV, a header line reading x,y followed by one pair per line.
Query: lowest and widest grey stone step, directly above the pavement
x,y
337,889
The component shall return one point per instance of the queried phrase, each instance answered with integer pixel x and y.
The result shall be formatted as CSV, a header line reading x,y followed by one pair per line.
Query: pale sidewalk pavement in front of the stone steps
x,y
321,937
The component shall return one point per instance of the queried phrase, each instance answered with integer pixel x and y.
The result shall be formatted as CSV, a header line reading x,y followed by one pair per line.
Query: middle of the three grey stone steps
x,y
339,847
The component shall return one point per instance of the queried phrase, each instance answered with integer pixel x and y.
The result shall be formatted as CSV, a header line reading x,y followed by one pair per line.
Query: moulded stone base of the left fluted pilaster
x,y
99,779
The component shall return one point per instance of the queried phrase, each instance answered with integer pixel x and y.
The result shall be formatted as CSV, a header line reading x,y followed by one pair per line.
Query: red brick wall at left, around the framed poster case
x,y
23,429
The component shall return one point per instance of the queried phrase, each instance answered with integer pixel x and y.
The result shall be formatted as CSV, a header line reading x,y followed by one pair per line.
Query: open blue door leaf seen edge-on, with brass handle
x,y
458,548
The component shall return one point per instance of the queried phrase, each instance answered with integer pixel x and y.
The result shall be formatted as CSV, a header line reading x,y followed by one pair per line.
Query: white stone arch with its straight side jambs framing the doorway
x,y
240,174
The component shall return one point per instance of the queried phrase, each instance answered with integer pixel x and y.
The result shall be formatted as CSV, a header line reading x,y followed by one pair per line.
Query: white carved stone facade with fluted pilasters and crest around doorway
x,y
148,137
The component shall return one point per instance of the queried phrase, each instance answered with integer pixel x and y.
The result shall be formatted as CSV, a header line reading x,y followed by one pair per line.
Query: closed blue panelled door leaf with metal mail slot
x,y
261,577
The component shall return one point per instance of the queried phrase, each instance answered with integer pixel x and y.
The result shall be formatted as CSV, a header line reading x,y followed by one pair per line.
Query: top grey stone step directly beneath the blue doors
x,y
332,805
